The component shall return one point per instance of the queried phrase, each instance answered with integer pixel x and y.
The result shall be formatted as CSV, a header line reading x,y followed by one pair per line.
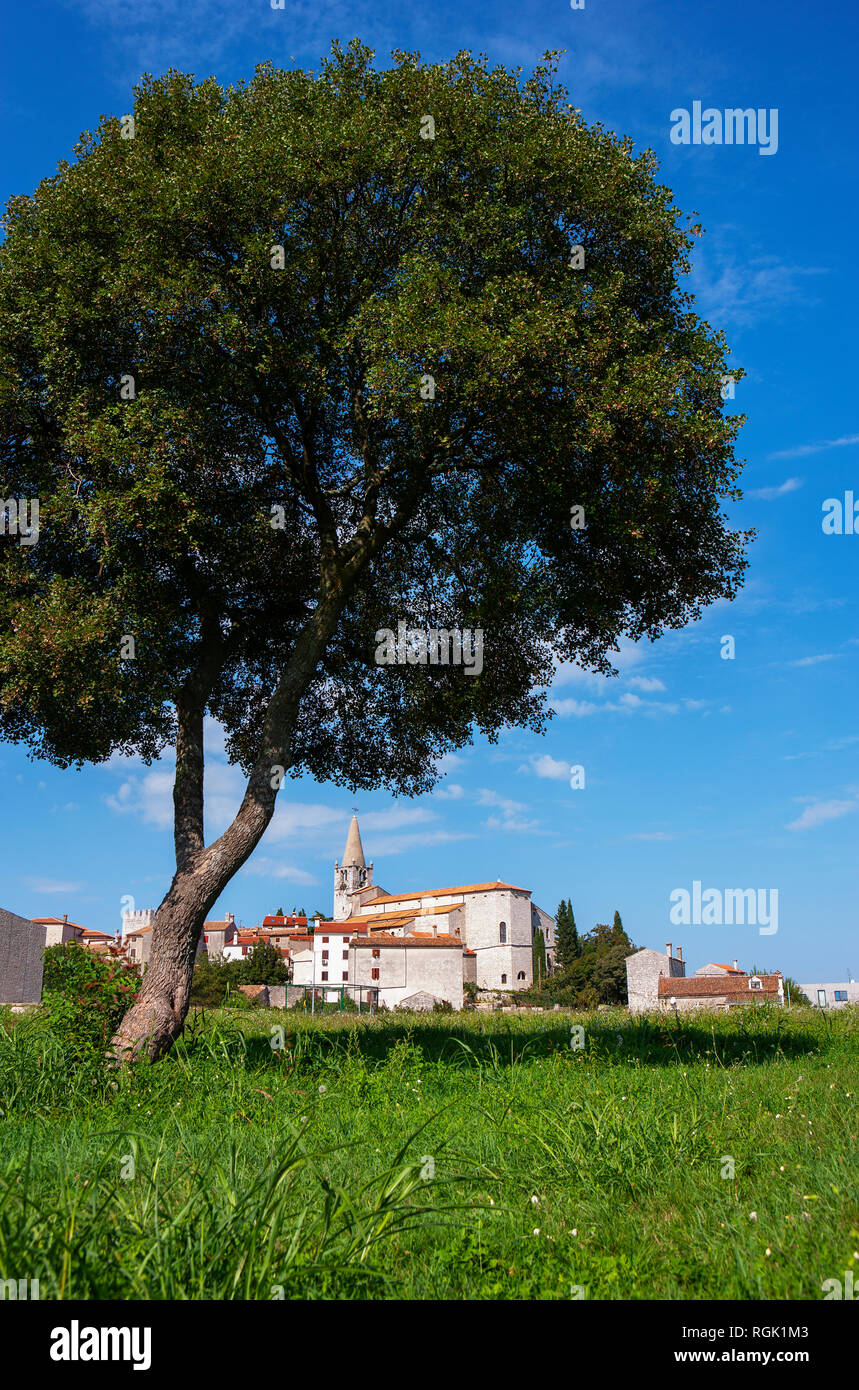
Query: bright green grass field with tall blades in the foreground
x,y
439,1157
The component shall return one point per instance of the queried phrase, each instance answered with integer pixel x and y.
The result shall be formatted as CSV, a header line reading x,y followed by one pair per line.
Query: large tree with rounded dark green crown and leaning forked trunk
x,y
291,362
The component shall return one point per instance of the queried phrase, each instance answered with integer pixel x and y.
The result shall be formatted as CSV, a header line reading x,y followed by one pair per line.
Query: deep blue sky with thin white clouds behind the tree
x,y
737,774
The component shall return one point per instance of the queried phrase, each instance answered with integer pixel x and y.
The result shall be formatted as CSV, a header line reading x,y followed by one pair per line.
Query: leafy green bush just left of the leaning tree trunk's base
x,y
84,997
